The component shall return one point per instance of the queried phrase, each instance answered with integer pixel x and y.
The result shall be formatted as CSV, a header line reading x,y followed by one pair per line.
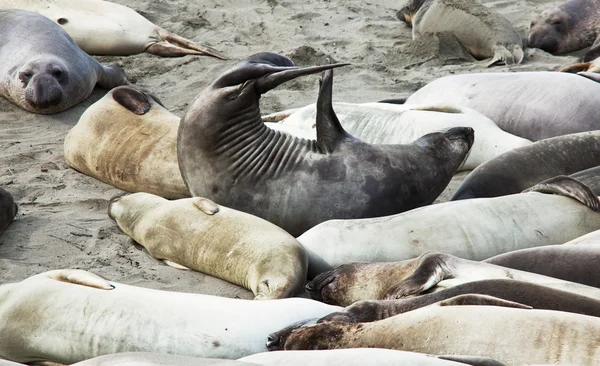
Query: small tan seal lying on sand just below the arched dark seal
x,y
197,233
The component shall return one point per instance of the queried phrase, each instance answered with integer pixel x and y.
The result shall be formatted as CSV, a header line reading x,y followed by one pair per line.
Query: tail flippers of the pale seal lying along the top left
x,y
172,45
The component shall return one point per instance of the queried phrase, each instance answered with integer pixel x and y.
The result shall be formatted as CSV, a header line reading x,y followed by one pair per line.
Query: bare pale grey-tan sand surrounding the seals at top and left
x,y
63,222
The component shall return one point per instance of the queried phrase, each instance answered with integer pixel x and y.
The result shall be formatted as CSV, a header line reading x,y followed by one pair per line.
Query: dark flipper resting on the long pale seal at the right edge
x,y
568,187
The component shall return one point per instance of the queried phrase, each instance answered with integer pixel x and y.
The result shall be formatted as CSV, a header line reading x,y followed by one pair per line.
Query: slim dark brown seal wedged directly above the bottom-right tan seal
x,y
536,296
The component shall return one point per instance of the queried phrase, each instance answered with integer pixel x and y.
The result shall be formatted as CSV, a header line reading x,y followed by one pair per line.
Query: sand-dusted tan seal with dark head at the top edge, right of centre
x,y
483,32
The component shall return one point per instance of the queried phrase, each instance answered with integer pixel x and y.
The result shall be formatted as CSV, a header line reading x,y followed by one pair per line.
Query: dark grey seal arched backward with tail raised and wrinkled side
x,y
227,154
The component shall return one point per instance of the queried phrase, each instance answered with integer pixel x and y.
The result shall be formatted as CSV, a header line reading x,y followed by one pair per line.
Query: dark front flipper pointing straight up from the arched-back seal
x,y
330,132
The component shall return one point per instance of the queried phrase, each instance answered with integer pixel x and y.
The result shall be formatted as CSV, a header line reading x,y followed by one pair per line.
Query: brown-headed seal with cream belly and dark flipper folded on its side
x,y
435,271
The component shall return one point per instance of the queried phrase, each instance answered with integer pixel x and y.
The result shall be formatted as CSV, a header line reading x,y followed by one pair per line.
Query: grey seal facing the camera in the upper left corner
x,y
42,70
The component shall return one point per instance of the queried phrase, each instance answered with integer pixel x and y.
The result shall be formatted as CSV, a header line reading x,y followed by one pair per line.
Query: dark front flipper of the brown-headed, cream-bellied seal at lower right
x,y
431,270
